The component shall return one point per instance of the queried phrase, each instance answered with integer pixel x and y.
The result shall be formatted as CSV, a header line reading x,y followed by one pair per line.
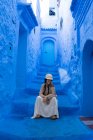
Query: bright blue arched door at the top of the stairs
x,y
48,52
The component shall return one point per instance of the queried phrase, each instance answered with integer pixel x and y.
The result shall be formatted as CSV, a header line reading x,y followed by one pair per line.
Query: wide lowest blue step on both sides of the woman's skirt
x,y
25,106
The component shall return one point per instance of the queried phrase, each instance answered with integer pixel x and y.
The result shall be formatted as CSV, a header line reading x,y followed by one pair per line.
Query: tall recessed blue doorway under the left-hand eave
x,y
21,58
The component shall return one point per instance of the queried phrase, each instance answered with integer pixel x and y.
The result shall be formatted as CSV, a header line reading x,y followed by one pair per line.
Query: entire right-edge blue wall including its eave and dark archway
x,y
82,13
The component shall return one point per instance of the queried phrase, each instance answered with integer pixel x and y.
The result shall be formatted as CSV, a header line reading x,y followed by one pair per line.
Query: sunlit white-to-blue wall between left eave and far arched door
x,y
33,49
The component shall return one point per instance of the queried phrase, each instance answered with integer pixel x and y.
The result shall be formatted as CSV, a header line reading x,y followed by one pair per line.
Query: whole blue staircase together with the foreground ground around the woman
x,y
18,125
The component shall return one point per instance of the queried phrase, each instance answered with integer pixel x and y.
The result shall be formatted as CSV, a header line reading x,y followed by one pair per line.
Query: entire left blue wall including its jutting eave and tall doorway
x,y
14,29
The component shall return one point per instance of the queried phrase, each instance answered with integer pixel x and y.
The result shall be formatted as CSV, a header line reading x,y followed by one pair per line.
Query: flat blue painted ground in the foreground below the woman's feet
x,y
64,128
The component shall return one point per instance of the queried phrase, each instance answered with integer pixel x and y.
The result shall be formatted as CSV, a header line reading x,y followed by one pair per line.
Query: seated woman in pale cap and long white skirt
x,y
46,103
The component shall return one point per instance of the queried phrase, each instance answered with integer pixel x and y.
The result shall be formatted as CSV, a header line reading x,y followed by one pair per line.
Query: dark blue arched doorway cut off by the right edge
x,y
87,72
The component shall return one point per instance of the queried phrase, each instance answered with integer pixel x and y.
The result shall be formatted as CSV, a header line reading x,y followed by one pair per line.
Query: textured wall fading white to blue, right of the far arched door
x,y
67,49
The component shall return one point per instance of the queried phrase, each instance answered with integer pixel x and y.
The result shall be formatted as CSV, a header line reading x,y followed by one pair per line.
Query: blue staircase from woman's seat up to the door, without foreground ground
x,y
24,99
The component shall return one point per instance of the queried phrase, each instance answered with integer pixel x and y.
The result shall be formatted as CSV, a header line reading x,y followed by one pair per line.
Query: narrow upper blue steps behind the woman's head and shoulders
x,y
39,79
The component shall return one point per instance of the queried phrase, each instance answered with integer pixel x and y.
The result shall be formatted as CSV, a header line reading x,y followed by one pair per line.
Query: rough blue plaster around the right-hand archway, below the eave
x,y
86,31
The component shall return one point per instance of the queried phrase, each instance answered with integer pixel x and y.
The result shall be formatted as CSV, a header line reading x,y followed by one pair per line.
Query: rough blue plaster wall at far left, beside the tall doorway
x,y
8,43
